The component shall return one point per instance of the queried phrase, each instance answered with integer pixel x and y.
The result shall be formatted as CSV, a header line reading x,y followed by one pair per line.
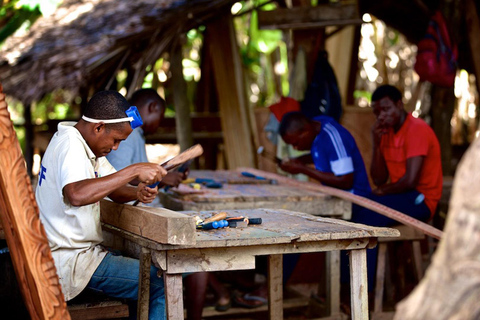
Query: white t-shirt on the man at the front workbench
x,y
74,233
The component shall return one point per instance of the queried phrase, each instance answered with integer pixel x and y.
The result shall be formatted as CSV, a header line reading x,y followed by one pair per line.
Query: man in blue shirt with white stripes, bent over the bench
x,y
338,162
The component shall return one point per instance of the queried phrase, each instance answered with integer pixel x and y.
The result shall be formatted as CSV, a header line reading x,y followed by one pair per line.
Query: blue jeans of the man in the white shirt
x,y
118,276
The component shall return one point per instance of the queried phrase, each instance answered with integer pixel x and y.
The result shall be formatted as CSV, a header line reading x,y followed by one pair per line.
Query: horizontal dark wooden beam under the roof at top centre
x,y
305,17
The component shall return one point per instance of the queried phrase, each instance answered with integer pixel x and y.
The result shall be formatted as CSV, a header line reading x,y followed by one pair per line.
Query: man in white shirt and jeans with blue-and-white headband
x,y
74,177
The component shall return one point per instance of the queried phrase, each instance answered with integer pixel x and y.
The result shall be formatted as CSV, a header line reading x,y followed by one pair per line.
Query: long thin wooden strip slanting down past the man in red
x,y
364,202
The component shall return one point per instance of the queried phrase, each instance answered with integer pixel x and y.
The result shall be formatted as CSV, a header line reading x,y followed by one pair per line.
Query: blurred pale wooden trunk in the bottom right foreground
x,y
451,286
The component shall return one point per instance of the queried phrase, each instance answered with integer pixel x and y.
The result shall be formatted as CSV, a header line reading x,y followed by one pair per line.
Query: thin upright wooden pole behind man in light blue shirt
x,y
183,126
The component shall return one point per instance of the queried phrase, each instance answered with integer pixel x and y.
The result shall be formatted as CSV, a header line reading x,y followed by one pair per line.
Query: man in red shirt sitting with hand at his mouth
x,y
406,165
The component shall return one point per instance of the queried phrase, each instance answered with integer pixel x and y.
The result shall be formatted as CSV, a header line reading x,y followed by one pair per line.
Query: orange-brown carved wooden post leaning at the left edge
x,y
26,238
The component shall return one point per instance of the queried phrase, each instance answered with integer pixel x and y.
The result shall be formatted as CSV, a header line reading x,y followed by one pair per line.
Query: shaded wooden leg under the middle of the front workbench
x,y
275,286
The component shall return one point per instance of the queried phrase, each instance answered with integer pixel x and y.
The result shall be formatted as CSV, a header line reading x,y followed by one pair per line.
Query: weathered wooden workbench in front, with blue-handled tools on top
x,y
282,232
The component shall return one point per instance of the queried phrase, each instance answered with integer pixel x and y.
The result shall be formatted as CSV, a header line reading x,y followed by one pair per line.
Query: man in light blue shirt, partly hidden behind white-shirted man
x,y
152,110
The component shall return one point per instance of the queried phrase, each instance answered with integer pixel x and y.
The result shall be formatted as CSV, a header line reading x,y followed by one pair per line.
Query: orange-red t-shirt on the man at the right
x,y
415,138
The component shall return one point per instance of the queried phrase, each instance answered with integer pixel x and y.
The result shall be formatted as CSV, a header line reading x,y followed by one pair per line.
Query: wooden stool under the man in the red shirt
x,y
406,234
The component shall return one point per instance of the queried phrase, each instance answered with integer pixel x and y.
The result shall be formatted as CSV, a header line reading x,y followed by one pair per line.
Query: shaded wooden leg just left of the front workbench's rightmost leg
x,y
333,282
